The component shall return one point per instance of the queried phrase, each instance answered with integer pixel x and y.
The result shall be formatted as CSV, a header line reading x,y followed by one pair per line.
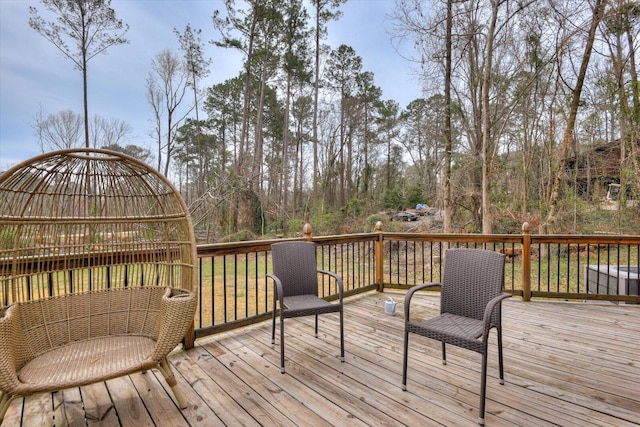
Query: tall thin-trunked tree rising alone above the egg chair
x,y
82,30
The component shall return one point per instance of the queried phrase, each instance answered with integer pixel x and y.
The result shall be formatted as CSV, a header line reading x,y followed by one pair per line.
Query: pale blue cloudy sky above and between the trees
x,y
35,77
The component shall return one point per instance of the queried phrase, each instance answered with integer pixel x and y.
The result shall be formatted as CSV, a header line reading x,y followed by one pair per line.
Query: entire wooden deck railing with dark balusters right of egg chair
x,y
234,290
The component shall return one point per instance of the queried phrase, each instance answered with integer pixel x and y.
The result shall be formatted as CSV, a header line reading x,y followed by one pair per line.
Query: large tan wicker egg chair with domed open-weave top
x,y
97,271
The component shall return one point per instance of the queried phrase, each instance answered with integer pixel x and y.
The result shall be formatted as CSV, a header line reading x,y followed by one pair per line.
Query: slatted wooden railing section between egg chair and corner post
x,y
234,290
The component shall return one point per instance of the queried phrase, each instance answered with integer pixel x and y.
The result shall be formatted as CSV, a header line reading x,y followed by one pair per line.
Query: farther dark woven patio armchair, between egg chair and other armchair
x,y
295,276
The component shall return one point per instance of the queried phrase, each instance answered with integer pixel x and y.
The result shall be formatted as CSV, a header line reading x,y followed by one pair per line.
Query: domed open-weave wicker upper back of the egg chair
x,y
81,220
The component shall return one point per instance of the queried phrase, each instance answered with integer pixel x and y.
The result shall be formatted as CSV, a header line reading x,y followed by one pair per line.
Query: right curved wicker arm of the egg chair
x,y
177,309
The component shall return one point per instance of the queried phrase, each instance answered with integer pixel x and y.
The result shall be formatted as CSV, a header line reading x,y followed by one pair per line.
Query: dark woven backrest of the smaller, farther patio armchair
x,y
294,263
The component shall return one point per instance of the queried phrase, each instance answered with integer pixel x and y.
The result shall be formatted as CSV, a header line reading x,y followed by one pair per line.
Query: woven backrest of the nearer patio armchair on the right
x,y
471,278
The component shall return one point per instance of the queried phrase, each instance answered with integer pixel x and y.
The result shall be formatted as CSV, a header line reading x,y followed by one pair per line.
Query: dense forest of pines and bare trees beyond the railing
x,y
517,96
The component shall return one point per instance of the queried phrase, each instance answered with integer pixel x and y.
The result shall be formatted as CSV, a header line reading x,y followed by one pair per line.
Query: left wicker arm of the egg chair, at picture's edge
x,y
11,342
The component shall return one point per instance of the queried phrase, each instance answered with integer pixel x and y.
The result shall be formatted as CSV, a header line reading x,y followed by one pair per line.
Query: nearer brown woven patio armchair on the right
x,y
470,306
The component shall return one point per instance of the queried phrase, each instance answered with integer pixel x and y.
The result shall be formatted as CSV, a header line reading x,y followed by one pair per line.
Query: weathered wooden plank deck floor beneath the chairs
x,y
567,364
